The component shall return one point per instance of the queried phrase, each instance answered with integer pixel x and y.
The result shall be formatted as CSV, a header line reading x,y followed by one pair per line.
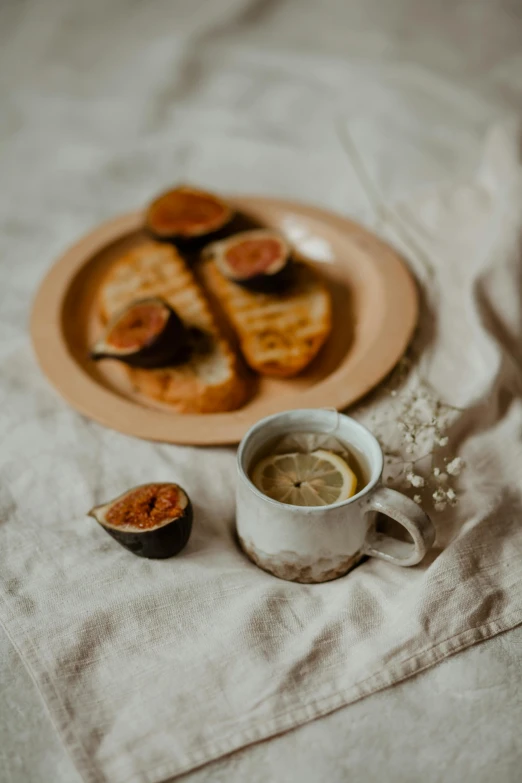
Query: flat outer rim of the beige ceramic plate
x,y
97,402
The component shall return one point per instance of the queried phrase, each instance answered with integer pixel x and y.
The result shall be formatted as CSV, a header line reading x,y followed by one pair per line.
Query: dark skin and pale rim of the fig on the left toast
x,y
170,346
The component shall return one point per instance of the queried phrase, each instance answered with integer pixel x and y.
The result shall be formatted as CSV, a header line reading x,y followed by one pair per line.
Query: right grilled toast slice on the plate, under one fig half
x,y
279,333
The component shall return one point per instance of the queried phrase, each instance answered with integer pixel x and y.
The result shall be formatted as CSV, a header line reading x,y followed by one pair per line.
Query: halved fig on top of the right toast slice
x,y
259,260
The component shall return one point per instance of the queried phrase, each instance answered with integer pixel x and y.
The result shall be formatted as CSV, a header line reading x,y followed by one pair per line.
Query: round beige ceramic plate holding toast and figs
x,y
375,311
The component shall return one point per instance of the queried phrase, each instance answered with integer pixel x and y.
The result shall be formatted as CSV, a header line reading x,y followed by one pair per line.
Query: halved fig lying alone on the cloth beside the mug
x,y
152,520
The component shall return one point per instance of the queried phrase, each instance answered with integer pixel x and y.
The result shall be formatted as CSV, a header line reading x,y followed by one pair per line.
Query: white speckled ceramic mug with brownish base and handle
x,y
319,543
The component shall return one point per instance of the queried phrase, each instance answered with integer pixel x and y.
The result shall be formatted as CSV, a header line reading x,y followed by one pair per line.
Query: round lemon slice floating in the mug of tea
x,y
316,479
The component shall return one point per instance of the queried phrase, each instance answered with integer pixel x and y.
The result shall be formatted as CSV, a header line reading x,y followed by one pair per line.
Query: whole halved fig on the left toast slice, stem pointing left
x,y
147,333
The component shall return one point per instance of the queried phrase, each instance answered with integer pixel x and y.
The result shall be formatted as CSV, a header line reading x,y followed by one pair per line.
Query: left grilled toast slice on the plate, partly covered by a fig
x,y
210,381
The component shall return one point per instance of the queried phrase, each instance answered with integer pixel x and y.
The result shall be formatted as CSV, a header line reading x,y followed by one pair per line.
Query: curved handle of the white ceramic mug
x,y
408,514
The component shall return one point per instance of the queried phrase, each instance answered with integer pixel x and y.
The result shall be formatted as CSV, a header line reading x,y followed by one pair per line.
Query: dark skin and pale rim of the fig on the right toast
x,y
264,282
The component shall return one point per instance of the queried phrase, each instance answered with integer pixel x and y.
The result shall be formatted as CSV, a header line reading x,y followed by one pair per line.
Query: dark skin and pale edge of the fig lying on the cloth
x,y
156,543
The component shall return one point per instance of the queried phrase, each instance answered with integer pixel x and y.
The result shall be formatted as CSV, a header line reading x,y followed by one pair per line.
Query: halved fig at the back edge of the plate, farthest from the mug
x,y
186,216
